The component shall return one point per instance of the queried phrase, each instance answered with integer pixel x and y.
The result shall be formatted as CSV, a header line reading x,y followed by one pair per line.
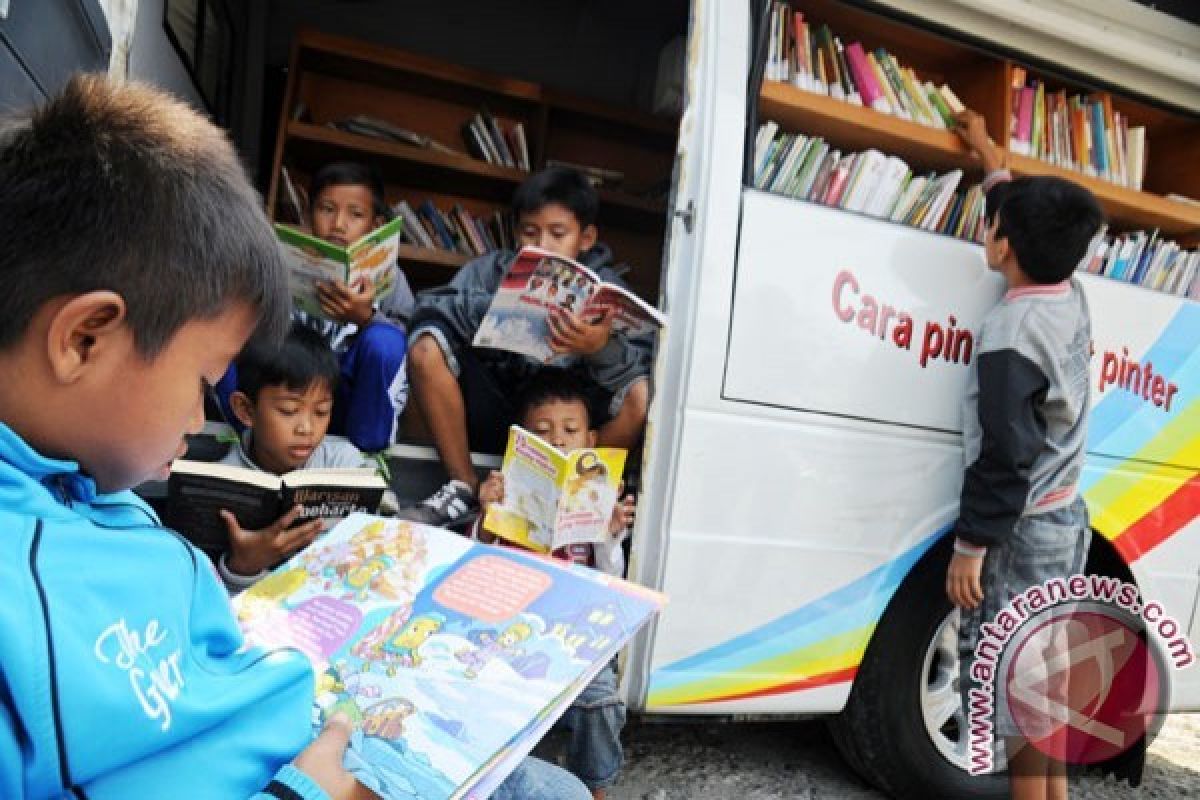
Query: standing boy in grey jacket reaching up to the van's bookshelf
x,y
1025,423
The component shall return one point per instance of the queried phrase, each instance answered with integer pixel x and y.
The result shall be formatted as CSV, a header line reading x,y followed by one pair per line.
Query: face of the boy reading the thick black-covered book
x,y
287,424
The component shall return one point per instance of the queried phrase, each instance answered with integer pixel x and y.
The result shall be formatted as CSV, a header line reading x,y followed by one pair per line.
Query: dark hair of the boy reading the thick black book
x,y
303,359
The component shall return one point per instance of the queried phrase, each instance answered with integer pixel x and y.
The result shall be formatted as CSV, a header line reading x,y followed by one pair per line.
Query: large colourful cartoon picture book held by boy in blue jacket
x,y
453,658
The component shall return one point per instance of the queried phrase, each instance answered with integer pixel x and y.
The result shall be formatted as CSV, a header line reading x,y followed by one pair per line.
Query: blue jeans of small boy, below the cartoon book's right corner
x,y
596,719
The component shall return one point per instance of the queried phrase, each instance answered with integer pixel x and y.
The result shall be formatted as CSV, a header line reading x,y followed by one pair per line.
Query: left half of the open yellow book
x,y
532,474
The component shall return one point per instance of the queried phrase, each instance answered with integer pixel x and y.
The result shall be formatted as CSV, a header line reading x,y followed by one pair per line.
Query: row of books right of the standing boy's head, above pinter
x,y
1147,261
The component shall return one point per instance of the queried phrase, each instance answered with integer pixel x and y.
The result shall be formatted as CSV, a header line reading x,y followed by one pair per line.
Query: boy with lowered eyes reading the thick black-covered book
x,y
285,399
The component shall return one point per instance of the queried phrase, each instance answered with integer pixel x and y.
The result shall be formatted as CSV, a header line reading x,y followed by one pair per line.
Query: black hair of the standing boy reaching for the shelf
x,y
1049,222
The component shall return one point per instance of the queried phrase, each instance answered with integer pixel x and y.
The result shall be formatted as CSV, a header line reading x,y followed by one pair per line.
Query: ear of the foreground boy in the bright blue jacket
x,y
86,329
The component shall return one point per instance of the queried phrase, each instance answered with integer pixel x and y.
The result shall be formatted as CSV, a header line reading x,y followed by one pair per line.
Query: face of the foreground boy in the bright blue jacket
x,y
146,408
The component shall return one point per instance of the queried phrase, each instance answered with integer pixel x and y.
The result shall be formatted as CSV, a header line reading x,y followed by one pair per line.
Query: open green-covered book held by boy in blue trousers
x,y
313,260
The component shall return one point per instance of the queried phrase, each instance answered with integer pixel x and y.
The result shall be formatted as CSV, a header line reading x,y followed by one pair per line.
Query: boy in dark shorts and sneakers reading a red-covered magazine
x,y
465,393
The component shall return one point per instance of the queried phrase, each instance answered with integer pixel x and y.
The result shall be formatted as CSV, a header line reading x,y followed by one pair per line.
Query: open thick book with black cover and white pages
x,y
199,491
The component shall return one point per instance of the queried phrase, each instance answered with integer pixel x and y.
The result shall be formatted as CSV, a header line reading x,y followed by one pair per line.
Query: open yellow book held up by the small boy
x,y
554,500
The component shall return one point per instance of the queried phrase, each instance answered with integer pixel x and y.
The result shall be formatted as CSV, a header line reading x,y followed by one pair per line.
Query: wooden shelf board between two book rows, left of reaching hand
x,y
854,128
